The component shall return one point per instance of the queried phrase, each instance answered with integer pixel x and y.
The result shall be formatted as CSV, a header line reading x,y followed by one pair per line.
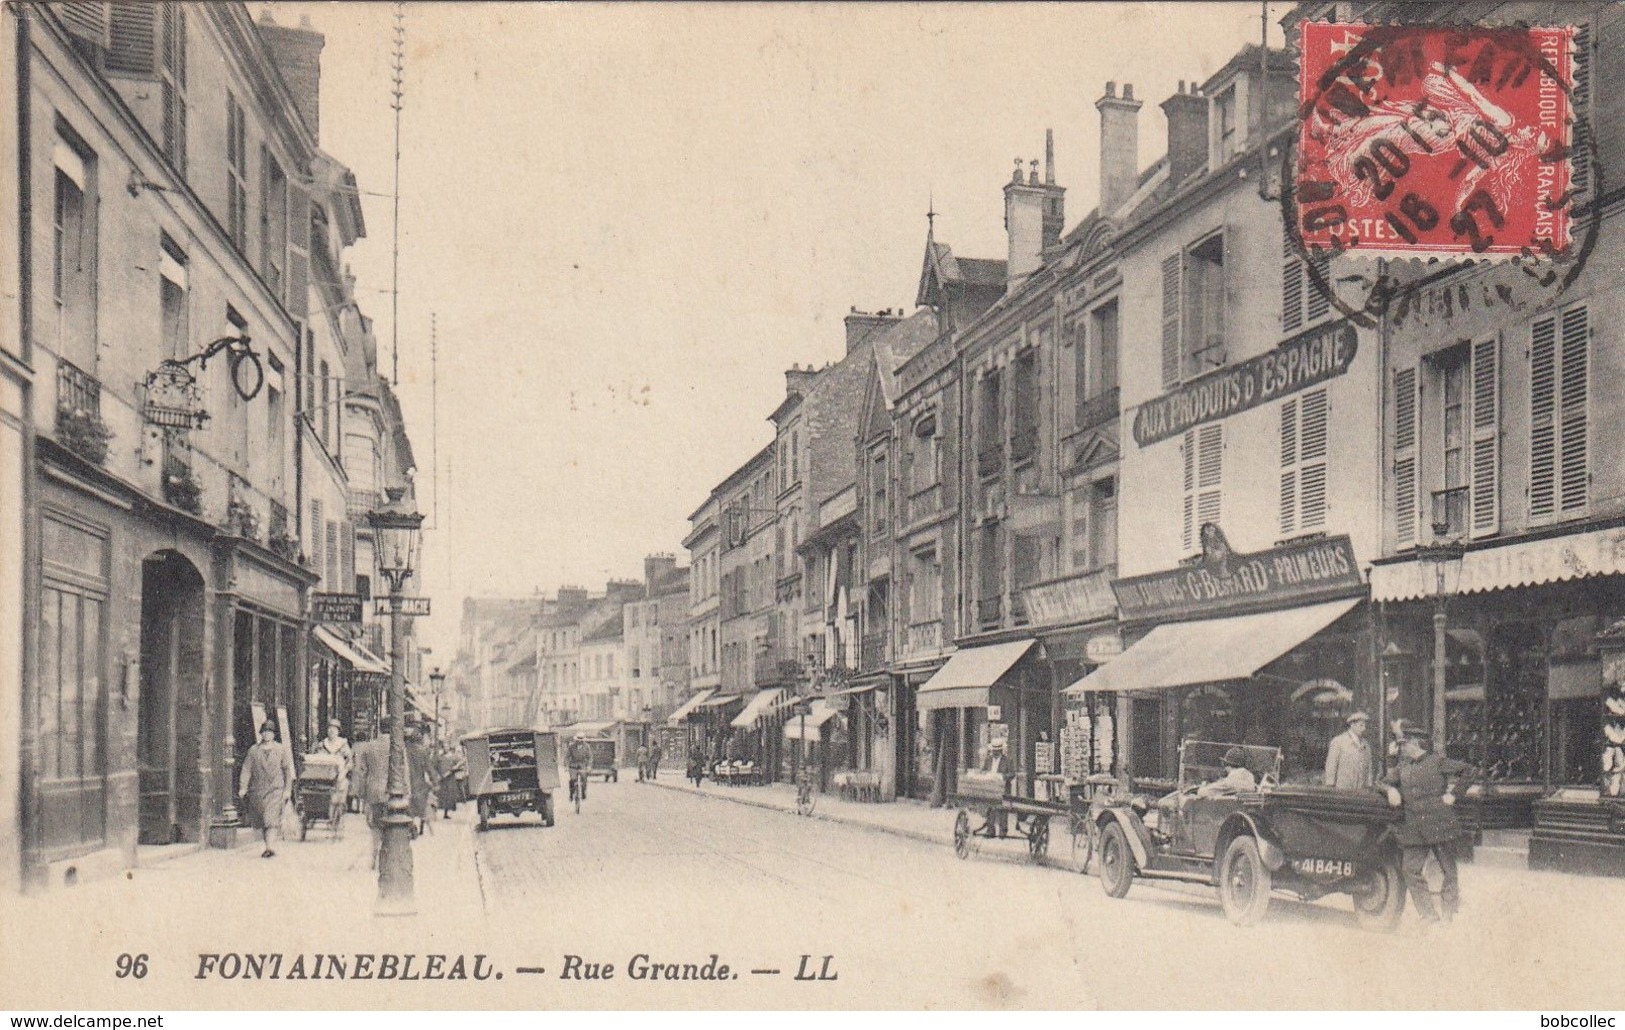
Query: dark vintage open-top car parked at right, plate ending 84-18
x,y
1296,839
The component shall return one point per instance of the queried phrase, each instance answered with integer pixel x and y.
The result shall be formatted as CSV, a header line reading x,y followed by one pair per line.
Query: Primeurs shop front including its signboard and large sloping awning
x,y
1250,649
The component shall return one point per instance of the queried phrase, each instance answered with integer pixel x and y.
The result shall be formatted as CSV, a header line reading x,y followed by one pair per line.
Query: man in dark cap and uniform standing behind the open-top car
x,y
1428,785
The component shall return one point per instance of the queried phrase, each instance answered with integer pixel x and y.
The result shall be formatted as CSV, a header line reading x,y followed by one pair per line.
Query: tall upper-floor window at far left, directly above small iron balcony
x,y
74,253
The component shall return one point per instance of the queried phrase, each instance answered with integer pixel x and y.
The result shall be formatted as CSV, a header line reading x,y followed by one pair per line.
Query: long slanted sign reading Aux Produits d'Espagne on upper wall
x,y
1301,363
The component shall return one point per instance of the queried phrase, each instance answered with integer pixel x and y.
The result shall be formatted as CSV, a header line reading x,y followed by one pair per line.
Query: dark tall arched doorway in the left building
x,y
170,735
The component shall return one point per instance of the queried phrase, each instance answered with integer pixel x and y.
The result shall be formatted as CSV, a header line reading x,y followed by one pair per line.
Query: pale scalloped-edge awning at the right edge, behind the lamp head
x,y
1574,556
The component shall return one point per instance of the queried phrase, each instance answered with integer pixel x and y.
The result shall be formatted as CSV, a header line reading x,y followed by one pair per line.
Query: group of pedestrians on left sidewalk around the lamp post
x,y
436,781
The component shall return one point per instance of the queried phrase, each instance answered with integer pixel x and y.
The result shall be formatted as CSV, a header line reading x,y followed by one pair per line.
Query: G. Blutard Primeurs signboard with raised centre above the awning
x,y
1311,571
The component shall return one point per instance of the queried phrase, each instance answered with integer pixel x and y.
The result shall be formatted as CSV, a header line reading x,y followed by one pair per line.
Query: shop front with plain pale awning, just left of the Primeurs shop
x,y
995,693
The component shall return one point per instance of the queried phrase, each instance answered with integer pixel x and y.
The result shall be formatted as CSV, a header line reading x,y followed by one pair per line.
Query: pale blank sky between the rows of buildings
x,y
626,222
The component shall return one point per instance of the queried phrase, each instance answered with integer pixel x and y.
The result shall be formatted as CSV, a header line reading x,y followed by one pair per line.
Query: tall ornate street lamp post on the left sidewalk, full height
x,y
396,534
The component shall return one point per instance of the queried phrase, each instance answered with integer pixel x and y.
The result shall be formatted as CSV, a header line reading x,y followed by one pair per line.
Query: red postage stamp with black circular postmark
x,y
1424,141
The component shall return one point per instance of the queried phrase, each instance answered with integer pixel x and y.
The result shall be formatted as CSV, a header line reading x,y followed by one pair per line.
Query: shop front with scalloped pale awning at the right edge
x,y
1520,639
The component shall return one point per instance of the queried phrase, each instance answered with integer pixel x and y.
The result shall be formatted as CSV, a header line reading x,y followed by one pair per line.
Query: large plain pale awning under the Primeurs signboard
x,y
1211,651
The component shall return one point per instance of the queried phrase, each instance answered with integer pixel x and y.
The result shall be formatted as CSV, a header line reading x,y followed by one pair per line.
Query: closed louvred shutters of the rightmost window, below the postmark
x,y
1559,373
